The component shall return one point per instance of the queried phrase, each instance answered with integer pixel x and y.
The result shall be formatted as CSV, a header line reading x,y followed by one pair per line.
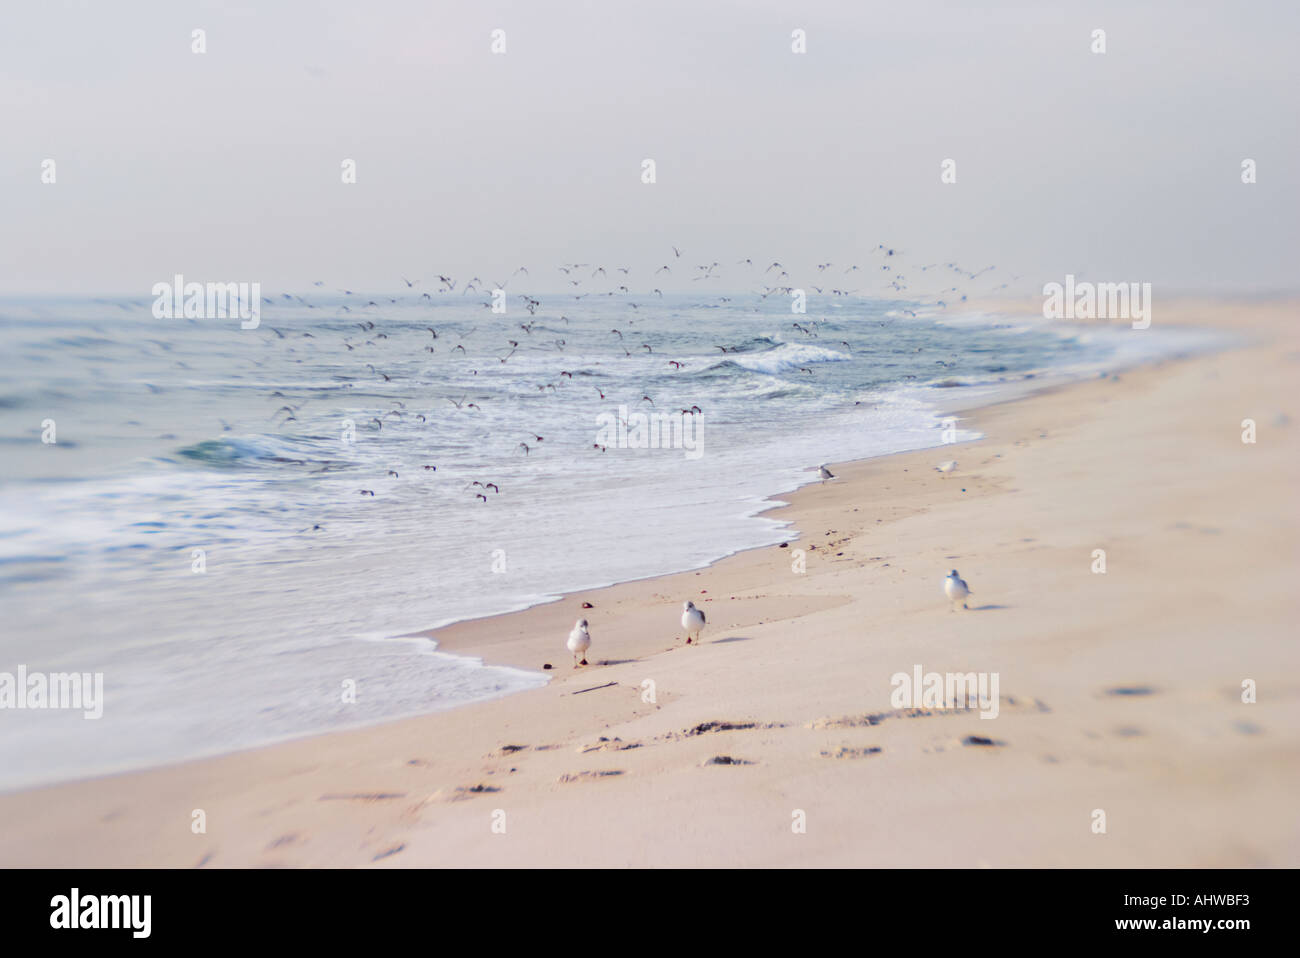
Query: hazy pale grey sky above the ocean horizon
x,y
226,166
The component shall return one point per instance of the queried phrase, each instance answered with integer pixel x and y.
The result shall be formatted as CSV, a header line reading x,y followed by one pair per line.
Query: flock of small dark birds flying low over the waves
x,y
772,281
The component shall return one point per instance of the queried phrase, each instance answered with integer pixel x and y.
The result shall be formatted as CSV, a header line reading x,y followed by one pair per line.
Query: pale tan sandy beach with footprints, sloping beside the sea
x,y
775,742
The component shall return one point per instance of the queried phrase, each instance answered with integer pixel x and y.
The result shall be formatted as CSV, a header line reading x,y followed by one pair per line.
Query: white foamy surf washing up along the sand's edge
x,y
148,703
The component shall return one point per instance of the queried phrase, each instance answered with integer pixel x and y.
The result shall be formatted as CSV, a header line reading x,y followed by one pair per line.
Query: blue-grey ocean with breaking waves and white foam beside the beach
x,y
235,526
